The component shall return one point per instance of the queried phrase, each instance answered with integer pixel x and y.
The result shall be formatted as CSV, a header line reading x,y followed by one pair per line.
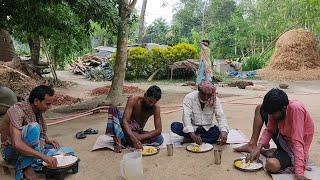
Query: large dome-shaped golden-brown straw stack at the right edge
x,y
295,57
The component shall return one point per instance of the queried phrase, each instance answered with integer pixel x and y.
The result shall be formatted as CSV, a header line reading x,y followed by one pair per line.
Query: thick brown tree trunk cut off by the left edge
x,y
7,52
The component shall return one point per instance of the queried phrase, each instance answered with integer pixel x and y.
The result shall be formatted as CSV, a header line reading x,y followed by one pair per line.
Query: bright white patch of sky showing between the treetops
x,y
155,11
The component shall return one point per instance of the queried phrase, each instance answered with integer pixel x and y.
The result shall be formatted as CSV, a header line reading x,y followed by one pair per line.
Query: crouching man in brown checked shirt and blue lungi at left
x,y
23,134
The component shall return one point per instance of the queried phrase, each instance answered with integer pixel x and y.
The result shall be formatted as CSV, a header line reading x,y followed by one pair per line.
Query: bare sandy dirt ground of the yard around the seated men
x,y
238,107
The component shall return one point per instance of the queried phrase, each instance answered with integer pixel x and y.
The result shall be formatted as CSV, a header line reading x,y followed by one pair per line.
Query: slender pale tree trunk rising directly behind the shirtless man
x,y
122,53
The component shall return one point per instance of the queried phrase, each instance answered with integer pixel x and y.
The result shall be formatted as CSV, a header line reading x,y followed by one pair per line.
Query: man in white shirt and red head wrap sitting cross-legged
x,y
199,109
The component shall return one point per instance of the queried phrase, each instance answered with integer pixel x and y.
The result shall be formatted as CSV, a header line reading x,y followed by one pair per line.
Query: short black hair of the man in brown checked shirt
x,y
40,92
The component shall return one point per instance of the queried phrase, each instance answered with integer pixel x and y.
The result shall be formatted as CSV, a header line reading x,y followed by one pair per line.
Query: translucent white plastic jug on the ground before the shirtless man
x,y
131,166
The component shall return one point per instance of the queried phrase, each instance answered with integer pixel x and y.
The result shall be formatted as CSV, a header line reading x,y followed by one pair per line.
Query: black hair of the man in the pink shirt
x,y
274,101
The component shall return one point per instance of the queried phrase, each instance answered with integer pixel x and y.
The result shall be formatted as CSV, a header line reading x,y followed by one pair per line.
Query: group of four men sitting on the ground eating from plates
x,y
24,139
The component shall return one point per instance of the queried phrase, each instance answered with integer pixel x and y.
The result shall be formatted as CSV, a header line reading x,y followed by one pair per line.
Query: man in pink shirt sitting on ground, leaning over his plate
x,y
295,129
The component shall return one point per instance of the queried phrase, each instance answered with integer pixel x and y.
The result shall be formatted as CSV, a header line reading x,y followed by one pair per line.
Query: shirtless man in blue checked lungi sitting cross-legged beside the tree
x,y
127,128
